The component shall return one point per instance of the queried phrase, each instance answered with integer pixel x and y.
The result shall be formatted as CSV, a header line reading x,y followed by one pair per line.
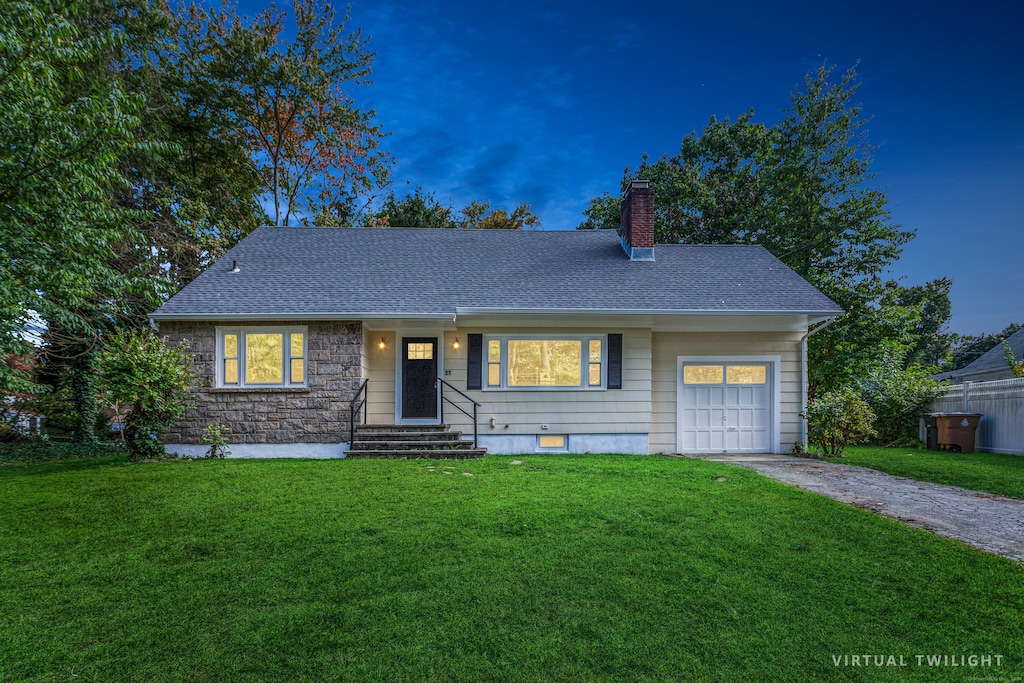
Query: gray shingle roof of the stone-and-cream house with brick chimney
x,y
420,272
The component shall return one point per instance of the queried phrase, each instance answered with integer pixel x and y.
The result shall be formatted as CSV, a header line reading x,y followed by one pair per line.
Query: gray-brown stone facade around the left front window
x,y
318,413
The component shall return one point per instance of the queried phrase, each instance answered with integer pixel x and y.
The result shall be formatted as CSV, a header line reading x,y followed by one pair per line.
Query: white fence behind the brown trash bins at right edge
x,y
1002,405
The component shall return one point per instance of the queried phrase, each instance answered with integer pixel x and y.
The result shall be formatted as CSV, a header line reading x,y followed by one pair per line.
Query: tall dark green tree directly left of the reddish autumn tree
x,y
199,194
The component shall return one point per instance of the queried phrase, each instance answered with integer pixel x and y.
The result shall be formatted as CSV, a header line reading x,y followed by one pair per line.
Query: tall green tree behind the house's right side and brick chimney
x,y
803,189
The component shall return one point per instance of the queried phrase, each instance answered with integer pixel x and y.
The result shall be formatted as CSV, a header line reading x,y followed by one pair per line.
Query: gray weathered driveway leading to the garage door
x,y
988,522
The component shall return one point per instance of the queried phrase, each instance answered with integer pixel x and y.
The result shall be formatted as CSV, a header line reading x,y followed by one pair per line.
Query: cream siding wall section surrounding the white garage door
x,y
668,347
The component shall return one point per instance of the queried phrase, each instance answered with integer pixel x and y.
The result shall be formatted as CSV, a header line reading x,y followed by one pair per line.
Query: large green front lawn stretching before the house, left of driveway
x,y
565,568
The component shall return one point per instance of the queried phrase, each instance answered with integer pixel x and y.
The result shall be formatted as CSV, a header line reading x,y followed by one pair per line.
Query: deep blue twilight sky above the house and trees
x,y
547,103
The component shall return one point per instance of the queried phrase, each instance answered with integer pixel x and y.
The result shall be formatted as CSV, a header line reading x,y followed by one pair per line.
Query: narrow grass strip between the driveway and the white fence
x,y
976,472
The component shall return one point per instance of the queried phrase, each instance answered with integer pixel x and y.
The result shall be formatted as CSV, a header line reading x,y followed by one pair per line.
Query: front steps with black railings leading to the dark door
x,y
435,442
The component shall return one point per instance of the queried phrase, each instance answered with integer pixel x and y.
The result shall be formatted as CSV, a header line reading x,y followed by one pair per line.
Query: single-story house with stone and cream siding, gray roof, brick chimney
x,y
571,341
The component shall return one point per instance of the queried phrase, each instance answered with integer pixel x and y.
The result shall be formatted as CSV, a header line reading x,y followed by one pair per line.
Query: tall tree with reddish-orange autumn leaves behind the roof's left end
x,y
315,148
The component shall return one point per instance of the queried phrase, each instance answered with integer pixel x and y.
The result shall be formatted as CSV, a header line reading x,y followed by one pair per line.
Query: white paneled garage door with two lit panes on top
x,y
726,407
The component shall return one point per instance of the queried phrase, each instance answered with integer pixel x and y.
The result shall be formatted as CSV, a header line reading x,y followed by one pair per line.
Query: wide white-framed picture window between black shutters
x,y
546,362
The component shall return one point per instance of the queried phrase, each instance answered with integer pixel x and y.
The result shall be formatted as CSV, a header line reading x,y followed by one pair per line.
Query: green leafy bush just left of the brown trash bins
x,y
899,395
